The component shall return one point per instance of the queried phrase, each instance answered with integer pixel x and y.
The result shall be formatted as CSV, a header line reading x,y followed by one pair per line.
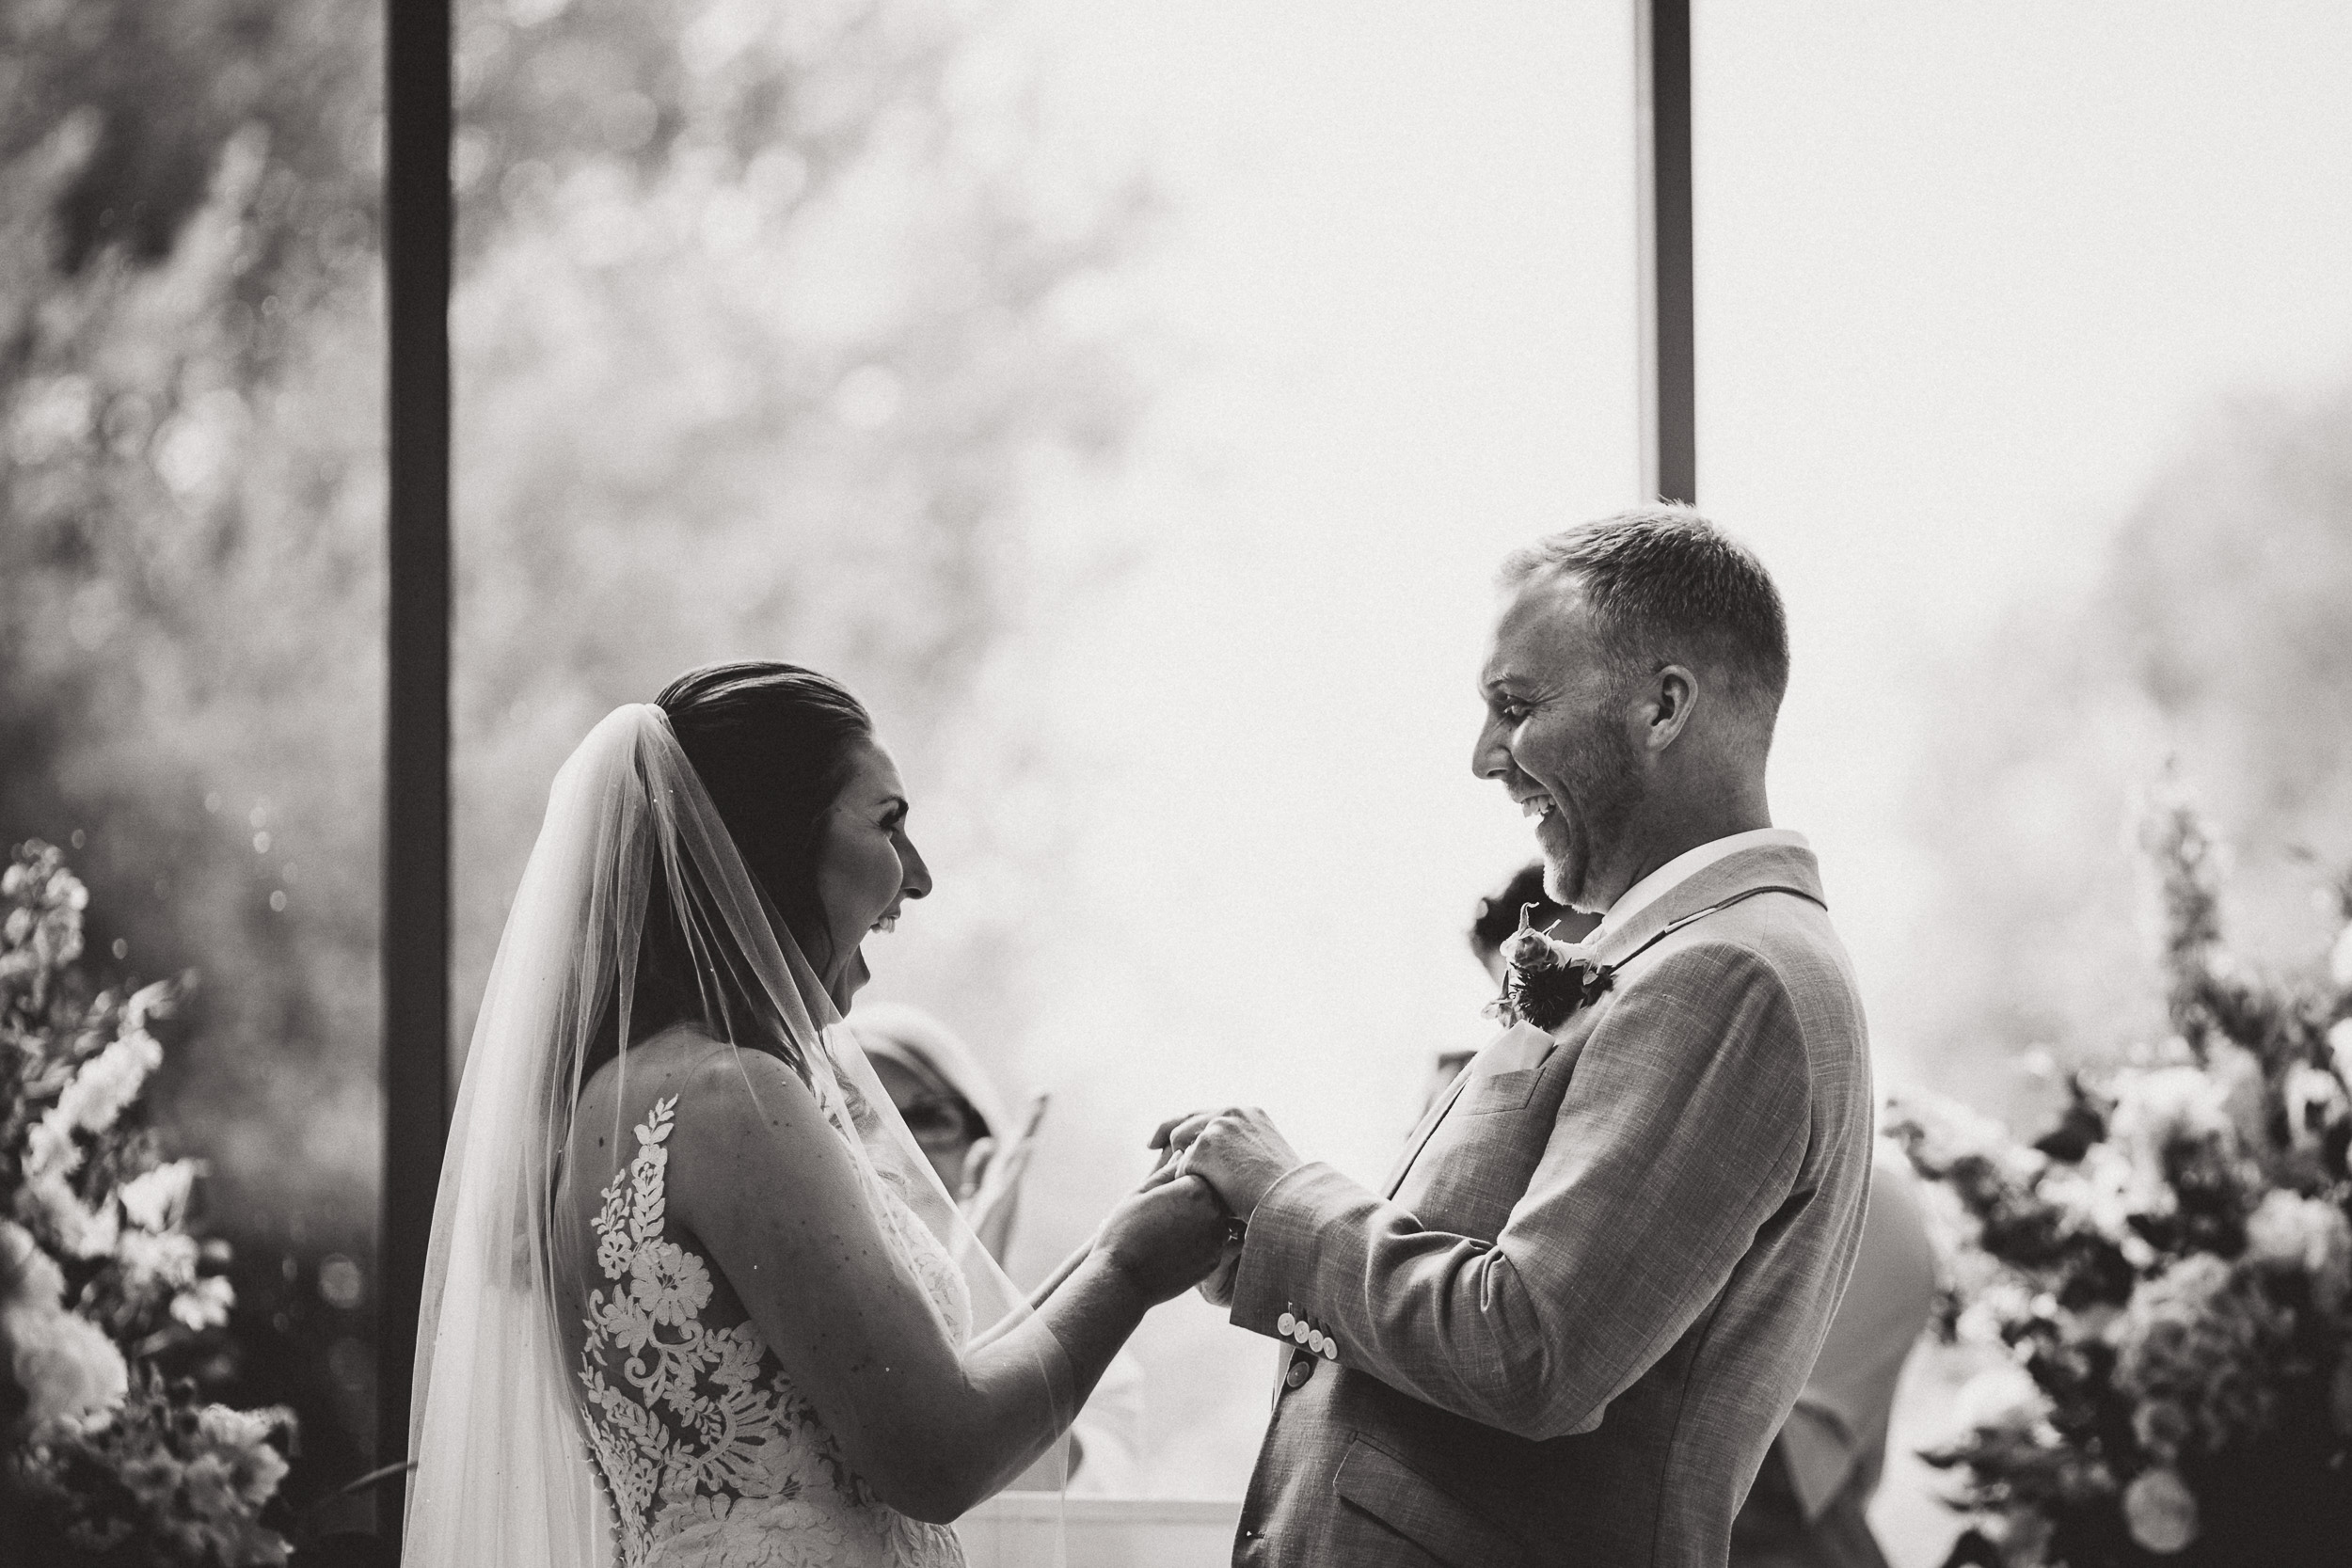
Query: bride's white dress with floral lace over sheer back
x,y
709,1454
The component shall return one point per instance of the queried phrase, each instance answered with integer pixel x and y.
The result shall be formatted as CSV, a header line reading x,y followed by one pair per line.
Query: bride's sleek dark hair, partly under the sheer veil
x,y
773,744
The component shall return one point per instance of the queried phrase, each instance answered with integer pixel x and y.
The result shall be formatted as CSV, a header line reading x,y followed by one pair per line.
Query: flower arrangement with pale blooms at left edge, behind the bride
x,y
107,1461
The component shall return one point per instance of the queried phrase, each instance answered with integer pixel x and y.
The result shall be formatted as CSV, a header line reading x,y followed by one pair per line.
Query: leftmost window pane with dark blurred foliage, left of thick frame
x,y
192,525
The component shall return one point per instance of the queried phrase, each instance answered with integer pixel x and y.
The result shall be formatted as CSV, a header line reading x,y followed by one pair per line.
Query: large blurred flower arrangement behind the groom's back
x,y
2165,1273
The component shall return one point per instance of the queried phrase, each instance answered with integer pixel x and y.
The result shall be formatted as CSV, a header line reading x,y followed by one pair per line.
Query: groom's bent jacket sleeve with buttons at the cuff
x,y
1683,1132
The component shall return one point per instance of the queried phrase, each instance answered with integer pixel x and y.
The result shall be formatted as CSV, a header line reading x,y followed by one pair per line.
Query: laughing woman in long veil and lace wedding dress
x,y
695,1296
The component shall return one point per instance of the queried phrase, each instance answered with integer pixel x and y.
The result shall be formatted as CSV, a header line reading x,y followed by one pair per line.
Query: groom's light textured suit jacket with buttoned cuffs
x,y
1601,1273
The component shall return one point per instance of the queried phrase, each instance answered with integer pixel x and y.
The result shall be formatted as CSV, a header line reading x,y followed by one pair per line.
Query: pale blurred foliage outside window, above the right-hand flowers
x,y
2217,643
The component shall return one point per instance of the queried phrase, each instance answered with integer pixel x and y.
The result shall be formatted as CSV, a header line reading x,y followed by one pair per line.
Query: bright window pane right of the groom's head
x,y
1977,290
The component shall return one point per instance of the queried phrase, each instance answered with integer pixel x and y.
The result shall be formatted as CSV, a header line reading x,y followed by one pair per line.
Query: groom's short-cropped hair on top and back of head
x,y
1669,587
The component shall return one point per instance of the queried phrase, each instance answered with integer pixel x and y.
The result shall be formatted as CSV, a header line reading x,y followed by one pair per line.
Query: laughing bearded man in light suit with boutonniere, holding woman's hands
x,y
1575,1315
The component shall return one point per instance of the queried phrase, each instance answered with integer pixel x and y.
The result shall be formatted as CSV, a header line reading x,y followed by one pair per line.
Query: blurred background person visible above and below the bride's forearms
x,y
965,1130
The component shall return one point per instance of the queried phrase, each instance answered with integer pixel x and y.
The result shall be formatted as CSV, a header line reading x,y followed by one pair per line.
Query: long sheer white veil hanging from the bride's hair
x,y
632,838
